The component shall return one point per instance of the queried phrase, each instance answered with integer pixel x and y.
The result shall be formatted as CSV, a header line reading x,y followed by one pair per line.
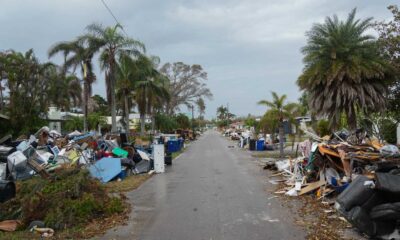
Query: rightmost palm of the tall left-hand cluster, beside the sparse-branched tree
x,y
150,89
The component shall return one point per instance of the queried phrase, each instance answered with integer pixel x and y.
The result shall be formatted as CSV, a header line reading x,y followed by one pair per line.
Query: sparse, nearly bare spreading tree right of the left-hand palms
x,y
186,84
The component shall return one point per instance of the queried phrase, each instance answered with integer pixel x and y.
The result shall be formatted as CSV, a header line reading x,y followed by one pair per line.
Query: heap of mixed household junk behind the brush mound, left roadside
x,y
105,157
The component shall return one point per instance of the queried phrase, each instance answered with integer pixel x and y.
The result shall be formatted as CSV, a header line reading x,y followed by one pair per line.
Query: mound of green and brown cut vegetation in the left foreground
x,y
67,200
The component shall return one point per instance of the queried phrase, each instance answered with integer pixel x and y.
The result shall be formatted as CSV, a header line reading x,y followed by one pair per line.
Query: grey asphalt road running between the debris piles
x,y
211,192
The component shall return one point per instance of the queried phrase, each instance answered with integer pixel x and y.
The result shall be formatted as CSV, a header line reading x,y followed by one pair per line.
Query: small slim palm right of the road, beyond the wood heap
x,y
281,111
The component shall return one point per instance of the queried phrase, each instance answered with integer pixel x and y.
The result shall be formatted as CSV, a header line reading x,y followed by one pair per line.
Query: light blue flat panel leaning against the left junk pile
x,y
106,169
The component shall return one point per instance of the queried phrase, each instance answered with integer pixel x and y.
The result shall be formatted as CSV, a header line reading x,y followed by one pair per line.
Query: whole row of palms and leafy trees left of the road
x,y
132,79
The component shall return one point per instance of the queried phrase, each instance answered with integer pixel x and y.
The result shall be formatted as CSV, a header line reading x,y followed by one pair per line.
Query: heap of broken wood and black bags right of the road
x,y
358,174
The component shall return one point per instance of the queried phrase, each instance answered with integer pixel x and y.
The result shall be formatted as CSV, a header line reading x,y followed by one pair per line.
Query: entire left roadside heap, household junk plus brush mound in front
x,y
57,180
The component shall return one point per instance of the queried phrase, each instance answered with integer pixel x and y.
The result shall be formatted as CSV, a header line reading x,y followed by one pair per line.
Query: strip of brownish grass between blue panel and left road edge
x,y
128,184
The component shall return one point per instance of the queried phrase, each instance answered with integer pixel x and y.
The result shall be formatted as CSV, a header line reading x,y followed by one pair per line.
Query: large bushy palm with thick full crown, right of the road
x,y
343,70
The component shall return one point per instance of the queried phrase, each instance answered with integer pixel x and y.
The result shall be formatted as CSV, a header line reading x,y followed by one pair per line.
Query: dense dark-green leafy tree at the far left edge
x,y
28,82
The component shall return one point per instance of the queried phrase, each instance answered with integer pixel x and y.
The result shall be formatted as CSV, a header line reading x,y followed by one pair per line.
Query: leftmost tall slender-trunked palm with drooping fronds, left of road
x,y
78,53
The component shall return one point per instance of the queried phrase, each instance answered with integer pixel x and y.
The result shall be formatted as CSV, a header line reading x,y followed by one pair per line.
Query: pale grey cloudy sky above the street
x,y
248,48
